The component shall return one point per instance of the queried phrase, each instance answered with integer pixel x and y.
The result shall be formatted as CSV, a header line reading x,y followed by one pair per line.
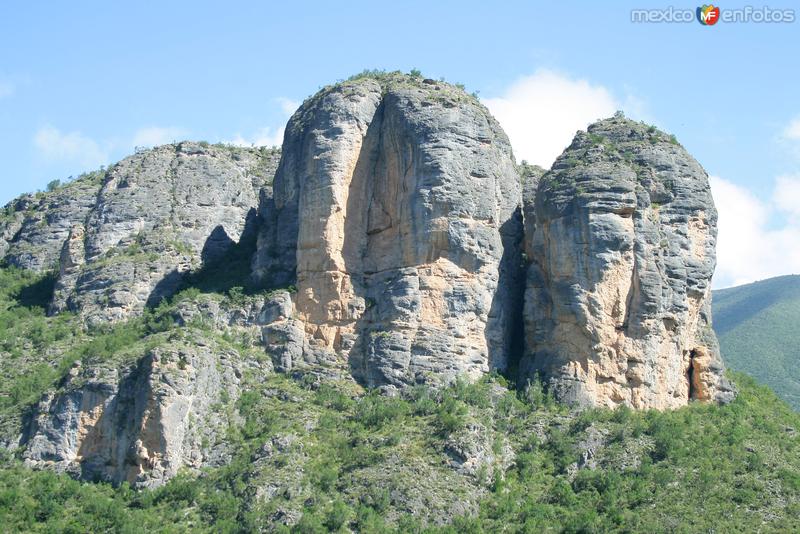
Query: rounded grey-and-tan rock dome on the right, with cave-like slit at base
x,y
618,291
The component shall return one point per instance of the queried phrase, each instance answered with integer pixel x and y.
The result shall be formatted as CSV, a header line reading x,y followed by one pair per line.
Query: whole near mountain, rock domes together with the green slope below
x,y
329,336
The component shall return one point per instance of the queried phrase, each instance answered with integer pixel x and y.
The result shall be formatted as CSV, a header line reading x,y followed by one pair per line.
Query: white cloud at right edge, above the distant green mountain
x,y
749,247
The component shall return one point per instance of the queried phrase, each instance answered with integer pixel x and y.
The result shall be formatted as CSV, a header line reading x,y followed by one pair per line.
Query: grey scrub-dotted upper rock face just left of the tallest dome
x,y
158,215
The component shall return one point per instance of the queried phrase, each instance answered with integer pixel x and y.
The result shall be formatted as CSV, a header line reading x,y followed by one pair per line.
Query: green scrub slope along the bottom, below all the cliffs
x,y
351,460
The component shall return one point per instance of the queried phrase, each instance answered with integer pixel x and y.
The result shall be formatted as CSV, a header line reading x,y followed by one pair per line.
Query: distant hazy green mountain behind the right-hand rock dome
x,y
758,326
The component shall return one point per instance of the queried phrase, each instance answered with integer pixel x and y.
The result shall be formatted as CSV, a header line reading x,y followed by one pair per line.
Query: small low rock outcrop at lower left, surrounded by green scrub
x,y
142,423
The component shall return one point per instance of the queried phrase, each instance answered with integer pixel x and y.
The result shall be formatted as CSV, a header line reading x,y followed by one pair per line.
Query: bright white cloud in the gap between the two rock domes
x,y
541,113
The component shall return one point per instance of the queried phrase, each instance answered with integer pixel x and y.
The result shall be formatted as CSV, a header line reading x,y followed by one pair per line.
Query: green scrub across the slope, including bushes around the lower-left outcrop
x,y
325,455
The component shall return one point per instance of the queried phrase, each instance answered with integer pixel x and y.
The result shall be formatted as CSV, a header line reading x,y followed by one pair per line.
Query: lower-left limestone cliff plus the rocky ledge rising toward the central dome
x,y
142,419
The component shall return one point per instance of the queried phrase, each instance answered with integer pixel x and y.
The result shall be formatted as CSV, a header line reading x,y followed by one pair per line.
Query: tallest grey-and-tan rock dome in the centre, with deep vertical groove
x,y
396,214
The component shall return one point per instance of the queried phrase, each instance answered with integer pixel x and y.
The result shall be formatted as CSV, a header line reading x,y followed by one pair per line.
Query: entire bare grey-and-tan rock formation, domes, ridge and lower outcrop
x,y
395,238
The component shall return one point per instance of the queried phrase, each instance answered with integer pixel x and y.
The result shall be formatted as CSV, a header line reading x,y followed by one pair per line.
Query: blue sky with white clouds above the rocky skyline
x,y
81,83
